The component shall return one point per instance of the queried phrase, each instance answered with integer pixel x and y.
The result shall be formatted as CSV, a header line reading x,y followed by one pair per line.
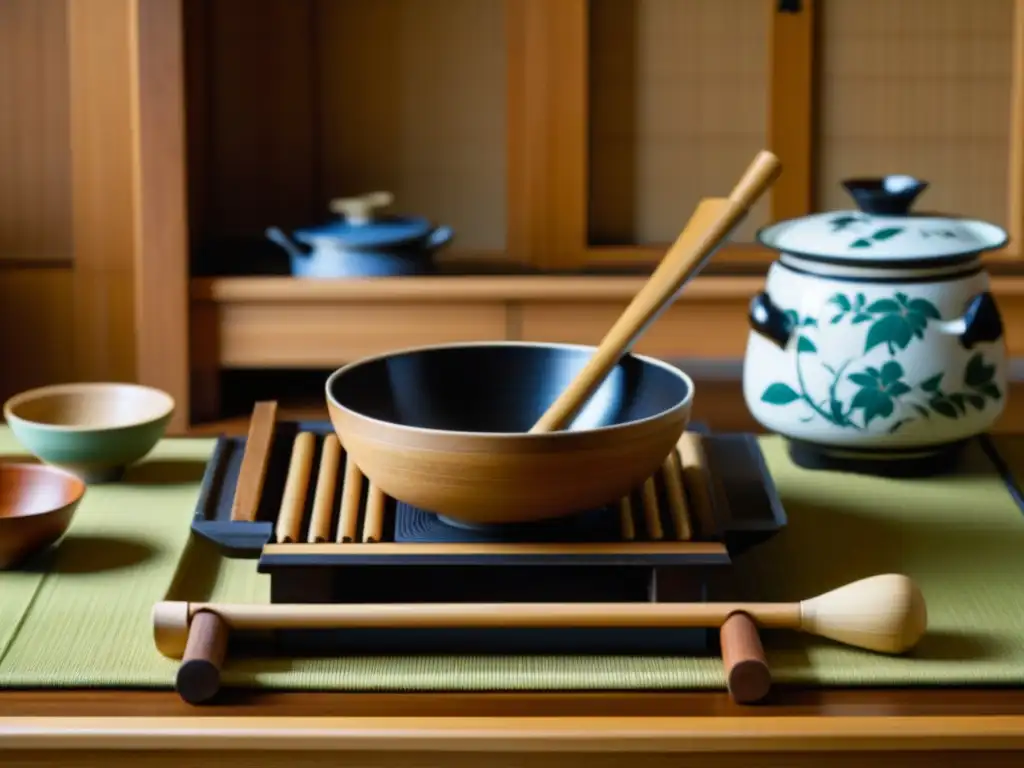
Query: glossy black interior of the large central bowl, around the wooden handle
x,y
500,389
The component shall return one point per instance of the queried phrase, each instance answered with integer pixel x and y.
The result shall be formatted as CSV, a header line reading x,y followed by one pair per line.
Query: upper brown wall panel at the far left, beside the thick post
x,y
35,203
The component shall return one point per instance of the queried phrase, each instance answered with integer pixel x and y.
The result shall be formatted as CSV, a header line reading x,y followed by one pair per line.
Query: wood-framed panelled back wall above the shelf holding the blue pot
x,y
581,133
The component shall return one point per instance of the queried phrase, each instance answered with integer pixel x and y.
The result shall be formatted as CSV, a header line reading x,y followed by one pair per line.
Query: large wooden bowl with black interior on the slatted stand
x,y
445,429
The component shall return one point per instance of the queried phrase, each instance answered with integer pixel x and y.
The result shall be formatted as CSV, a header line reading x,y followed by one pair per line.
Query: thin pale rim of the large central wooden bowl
x,y
611,431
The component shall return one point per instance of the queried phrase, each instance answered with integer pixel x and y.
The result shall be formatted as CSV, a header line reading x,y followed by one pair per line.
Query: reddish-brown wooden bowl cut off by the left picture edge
x,y
37,504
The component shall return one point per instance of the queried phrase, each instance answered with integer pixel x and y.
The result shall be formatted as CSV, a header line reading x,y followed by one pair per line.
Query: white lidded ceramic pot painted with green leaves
x,y
877,344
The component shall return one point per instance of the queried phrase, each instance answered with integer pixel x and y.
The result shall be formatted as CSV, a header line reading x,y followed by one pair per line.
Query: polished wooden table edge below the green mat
x,y
879,729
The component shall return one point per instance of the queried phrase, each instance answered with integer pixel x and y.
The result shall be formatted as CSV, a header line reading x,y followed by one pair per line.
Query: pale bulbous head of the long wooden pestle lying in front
x,y
886,614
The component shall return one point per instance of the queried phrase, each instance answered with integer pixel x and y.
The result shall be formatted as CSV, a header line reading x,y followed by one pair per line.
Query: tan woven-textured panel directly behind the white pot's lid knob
x,y
920,88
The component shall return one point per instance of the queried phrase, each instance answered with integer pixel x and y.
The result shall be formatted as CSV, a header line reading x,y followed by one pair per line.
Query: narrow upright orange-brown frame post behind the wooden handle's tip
x,y
791,109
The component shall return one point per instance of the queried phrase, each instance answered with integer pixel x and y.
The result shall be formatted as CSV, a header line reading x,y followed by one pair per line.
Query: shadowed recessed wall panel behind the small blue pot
x,y
293,103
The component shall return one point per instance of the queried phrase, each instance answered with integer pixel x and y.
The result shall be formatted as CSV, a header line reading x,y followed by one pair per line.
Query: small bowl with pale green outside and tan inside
x,y
95,431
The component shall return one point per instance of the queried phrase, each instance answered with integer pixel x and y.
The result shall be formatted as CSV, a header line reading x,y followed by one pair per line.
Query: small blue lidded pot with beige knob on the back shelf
x,y
364,244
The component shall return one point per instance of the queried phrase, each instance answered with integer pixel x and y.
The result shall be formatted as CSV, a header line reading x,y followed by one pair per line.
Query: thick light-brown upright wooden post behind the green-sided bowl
x,y
129,221
